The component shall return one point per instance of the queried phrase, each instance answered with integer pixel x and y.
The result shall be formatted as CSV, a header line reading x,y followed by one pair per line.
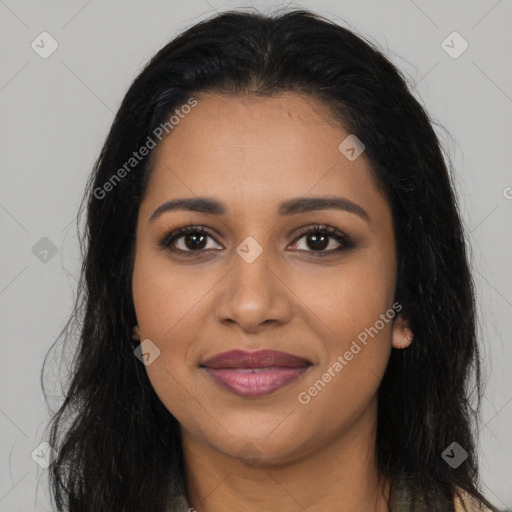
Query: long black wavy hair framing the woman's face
x,y
118,447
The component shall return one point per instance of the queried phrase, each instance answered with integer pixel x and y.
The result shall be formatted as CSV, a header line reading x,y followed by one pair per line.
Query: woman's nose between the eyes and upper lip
x,y
254,295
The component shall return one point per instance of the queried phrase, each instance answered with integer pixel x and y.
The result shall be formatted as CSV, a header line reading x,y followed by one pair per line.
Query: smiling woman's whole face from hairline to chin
x,y
265,269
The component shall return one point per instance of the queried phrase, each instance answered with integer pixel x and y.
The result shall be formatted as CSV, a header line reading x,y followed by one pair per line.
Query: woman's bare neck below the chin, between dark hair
x,y
340,475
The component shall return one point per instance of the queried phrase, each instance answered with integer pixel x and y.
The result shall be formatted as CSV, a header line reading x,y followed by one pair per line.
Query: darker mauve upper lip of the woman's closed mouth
x,y
258,359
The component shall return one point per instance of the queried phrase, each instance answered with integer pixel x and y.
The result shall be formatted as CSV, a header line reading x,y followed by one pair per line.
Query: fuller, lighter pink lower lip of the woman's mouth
x,y
255,383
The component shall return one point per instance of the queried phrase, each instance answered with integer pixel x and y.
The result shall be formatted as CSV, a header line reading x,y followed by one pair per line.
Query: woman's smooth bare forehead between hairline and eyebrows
x,y
254,150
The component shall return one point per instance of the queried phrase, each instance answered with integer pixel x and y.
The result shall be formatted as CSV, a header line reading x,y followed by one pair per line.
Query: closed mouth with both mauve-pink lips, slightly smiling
x,y
253,374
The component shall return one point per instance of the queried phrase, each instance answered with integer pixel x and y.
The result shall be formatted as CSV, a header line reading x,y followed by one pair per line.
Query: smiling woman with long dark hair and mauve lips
x,y
279,313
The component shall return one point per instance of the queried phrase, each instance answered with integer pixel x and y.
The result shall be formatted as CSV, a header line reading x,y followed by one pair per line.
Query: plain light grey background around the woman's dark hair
x,y
55,115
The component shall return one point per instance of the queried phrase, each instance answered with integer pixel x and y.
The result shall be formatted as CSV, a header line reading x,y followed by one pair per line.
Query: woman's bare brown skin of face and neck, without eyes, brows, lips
x,y
253,153
